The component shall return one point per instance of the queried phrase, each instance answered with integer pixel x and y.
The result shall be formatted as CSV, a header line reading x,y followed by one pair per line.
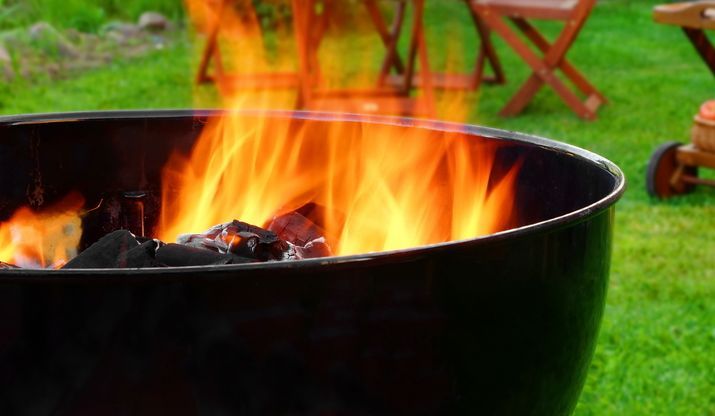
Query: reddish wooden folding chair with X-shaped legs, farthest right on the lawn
x,y
574,14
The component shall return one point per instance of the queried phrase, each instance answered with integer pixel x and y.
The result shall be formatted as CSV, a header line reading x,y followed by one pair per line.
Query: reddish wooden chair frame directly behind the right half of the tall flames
x,y
396,99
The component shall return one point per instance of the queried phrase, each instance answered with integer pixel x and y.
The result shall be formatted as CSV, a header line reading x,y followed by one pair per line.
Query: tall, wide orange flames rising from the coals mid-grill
x,y
383,187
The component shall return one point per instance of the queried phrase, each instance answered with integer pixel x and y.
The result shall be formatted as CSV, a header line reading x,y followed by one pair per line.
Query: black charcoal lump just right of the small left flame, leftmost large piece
x,y
106,252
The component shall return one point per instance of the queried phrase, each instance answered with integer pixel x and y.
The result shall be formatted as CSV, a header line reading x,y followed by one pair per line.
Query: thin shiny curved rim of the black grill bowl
x,y
551,224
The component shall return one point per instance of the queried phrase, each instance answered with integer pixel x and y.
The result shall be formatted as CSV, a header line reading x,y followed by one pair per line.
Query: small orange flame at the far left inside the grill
x,y
42,239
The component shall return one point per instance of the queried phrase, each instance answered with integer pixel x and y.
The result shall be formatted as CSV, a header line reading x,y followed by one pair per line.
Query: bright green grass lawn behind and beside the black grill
x,y
656,351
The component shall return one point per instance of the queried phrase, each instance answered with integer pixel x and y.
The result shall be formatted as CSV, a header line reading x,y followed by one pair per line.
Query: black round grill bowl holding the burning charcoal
x,y
502,324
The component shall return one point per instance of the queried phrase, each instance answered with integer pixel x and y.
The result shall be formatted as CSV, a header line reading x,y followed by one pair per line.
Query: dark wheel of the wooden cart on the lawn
x,y
661,168
